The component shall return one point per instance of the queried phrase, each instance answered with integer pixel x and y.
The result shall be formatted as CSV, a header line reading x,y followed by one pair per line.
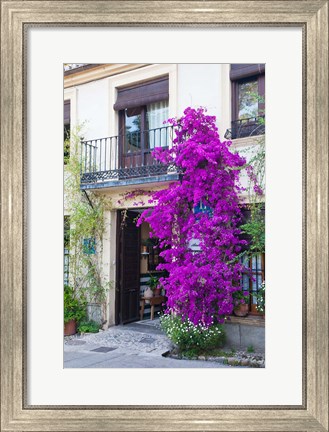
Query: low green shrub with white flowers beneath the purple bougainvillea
x,y
192,339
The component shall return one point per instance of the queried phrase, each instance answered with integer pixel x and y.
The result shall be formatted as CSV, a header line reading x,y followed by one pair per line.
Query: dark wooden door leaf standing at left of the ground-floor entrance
x,y
129,269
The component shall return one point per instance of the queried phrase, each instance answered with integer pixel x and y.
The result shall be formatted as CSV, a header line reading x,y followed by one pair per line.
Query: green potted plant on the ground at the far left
x,y
74,310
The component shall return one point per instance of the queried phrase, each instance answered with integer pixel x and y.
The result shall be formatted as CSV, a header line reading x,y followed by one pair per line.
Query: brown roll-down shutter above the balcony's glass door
x,y
142,94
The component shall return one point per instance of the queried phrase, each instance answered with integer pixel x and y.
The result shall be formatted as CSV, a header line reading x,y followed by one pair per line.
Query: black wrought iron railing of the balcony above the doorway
x,y
124,156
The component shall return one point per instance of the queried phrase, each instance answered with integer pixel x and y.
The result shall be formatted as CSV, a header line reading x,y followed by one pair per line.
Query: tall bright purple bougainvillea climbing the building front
x,y
201,282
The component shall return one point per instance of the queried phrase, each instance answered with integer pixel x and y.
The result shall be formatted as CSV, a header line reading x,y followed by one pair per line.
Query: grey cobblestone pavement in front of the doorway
x,y
136,345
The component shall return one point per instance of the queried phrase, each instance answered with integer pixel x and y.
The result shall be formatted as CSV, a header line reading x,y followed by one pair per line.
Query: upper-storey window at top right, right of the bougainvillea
x,y
248,100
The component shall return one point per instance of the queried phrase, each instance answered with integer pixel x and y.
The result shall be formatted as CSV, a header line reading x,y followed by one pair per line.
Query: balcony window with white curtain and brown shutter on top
x,y
143,108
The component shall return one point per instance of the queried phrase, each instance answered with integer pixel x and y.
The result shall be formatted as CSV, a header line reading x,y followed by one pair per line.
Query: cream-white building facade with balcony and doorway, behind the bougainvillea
x,y
122,108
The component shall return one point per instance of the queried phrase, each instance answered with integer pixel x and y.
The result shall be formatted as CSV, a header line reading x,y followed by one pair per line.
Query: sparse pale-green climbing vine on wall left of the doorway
x,y
86,228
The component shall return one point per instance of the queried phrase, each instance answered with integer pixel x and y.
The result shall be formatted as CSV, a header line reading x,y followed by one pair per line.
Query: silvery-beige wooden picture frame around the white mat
x,y
312,17
